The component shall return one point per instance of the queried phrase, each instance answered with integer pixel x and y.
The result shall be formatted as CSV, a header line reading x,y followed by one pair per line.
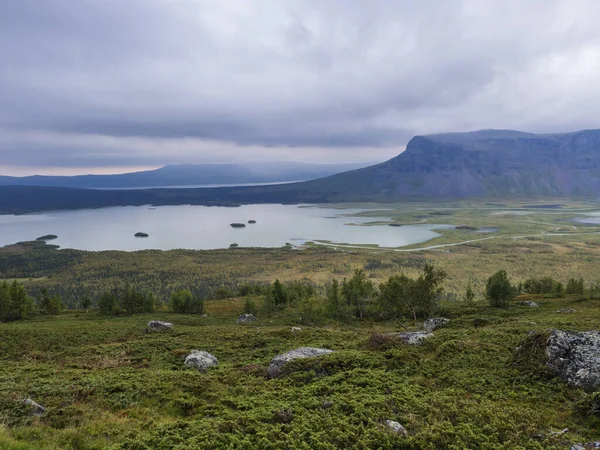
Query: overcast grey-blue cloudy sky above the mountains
x,y
108,86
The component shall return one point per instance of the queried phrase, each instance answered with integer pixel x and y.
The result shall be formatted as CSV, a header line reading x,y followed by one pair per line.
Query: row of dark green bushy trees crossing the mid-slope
x,y
354,298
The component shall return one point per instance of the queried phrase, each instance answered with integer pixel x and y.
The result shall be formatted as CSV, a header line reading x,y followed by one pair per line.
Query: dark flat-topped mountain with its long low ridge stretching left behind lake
x,y
487,164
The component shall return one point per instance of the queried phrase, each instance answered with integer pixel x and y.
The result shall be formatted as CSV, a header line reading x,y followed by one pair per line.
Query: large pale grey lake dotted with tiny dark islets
x,y
203,227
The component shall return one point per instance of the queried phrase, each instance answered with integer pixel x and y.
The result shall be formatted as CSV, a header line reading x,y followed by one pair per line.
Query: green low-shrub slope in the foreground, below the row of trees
x,y
105,383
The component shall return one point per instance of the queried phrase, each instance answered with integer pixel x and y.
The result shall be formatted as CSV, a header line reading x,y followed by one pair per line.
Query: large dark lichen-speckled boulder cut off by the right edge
x,y
575,356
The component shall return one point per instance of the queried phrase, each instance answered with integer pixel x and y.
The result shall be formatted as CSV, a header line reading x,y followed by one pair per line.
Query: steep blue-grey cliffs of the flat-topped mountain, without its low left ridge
x,y
487,163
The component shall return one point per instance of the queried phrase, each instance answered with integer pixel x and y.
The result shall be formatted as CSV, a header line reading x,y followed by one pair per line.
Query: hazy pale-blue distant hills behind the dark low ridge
x,y
190,174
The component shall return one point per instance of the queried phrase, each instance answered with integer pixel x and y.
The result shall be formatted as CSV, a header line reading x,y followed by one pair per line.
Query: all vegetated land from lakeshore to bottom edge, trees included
x,y
72,339
